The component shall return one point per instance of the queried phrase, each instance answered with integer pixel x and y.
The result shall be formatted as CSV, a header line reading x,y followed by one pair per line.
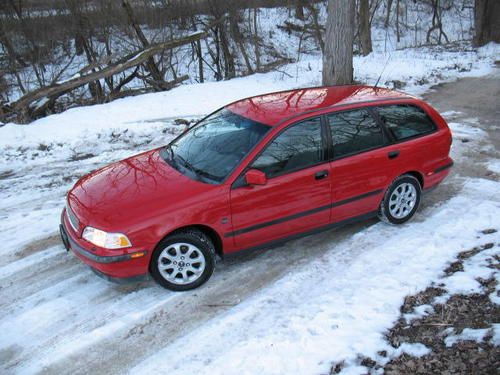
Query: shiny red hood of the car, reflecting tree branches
x,y
131,190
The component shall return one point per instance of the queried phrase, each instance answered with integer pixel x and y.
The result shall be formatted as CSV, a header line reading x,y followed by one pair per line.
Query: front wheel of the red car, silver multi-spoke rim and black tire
x,y
183,261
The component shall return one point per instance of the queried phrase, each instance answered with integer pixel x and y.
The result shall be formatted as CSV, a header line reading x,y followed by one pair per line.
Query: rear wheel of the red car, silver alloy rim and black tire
x,y
401,200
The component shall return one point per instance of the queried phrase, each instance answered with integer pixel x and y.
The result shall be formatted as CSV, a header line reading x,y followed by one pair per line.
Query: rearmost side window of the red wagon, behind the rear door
x,y
405,121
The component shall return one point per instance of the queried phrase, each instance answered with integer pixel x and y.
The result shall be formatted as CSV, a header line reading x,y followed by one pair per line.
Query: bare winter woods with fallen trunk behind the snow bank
x,y
56,54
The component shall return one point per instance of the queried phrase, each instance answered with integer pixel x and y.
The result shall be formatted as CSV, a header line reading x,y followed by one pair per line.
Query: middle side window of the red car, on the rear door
x,y
353,132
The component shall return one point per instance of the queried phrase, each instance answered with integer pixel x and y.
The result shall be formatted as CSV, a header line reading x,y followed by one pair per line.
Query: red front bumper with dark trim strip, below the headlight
x,y
121,266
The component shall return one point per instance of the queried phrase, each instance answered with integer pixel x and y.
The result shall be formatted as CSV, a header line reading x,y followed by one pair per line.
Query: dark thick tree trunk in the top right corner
x,y
487,27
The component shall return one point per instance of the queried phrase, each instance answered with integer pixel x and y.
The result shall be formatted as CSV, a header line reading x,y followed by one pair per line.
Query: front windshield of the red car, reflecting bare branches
x,y
211,149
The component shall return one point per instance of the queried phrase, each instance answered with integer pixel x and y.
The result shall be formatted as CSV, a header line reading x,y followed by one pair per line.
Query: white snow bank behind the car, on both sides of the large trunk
x,y
418,68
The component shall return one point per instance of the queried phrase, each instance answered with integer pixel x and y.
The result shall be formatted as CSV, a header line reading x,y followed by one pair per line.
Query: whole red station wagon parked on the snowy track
x,y
256,173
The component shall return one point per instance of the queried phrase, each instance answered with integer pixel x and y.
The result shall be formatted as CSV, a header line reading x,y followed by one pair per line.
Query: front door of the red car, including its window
x,y
297,195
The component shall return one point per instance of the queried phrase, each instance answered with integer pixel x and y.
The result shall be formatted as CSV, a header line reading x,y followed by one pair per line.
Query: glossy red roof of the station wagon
x,y
273,108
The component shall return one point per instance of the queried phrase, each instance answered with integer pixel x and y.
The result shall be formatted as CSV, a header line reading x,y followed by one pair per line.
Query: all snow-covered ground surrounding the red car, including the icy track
x,y
296,309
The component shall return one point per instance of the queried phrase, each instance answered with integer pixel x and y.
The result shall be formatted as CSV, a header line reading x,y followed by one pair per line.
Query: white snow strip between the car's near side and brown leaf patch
x,y
335,308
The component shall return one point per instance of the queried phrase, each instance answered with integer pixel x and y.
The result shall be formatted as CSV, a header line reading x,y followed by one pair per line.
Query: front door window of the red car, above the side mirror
x,y
298,147
